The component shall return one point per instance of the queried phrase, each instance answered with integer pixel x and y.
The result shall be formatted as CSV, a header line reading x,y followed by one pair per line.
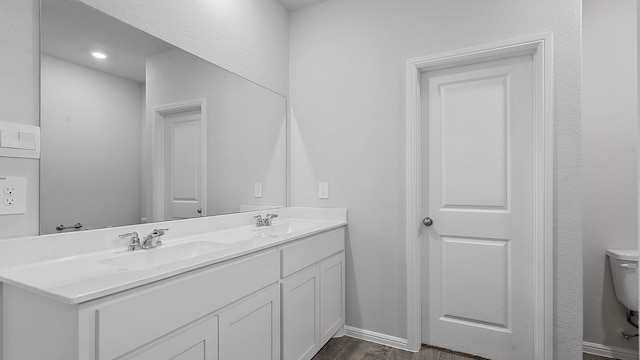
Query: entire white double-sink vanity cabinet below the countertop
x,y
280,302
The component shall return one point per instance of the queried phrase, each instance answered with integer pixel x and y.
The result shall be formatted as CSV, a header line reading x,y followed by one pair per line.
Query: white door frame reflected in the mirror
x,y
157,151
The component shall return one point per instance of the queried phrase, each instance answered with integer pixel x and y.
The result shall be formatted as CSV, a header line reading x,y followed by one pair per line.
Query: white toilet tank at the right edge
x,y
624,270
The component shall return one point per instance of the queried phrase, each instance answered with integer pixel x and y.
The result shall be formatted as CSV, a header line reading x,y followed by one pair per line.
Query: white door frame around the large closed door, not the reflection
x,y
540,47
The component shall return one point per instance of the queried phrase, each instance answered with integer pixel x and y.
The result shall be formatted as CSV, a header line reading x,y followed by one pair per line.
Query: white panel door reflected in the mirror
x,y
182,165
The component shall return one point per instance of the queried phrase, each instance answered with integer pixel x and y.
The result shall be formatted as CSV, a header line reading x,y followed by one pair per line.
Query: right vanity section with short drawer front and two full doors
x,y
312,293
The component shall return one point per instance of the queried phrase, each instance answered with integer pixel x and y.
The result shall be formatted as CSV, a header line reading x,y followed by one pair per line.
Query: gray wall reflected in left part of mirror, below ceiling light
x,y
91,152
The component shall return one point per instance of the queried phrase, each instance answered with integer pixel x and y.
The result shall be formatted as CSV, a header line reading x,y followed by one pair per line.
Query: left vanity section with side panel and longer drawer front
x,y
195,315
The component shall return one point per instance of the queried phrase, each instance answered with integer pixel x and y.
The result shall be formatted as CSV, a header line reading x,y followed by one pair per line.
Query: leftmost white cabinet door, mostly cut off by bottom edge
x,y
194,342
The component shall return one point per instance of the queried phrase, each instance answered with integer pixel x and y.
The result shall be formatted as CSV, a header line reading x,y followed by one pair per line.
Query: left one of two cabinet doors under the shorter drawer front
x,y
301,314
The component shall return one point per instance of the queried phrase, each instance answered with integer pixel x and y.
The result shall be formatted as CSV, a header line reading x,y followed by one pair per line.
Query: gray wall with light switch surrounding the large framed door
x,y
347,61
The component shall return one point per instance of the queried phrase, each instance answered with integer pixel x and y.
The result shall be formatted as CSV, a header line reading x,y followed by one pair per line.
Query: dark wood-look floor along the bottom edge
x,y
347,348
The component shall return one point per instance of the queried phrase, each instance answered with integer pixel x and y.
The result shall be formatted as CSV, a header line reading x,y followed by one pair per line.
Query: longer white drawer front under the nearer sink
x,y
125,324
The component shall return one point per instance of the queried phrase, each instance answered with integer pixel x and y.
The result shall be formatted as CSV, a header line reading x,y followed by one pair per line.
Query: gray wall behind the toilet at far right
x,y
609,152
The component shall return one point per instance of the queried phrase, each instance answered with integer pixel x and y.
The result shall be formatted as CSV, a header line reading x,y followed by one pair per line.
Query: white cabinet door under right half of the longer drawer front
x,y
250,329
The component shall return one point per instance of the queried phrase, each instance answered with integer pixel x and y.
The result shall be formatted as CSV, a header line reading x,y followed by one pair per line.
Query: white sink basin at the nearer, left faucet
x,y
147,259
